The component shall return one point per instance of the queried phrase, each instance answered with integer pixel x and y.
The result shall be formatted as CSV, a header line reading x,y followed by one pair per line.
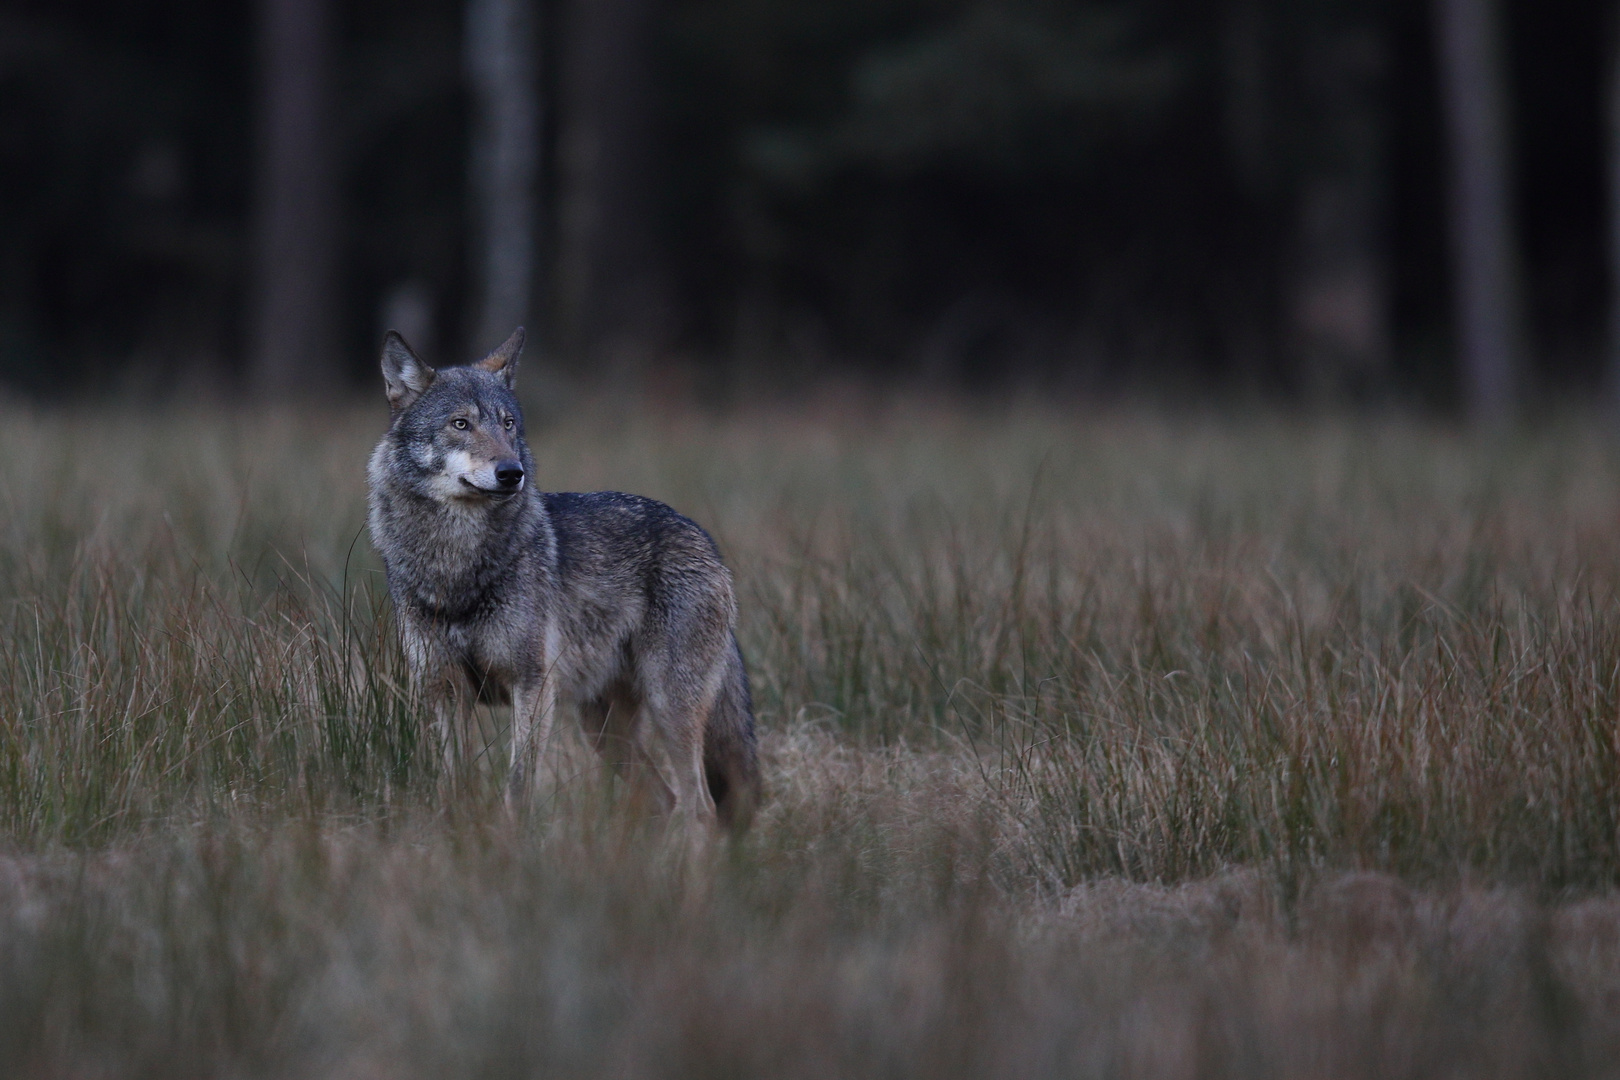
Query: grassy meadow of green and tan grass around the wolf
x,y
1096,746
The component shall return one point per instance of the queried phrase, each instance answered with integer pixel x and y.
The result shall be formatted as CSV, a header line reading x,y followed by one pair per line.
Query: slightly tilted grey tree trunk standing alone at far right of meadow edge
x,y
1490,321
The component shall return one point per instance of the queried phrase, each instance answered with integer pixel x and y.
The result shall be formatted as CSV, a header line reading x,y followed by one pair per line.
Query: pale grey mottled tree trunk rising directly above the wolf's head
x,y
501,67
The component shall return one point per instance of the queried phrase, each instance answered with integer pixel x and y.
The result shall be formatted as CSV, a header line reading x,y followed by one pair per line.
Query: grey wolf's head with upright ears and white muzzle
x,y
459,432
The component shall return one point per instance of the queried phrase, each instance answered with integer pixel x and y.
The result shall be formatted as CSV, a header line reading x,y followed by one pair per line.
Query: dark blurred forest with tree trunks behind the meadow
x,y
1117,197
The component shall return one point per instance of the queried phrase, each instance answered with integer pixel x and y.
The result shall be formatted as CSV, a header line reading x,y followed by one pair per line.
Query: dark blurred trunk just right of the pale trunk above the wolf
x,y
612,281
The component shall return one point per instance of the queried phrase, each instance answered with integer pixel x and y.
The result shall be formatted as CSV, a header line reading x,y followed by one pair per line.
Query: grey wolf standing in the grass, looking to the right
x,y
605,603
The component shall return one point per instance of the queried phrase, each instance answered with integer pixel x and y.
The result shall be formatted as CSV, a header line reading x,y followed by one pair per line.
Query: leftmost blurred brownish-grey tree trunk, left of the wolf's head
x,y
292,349
